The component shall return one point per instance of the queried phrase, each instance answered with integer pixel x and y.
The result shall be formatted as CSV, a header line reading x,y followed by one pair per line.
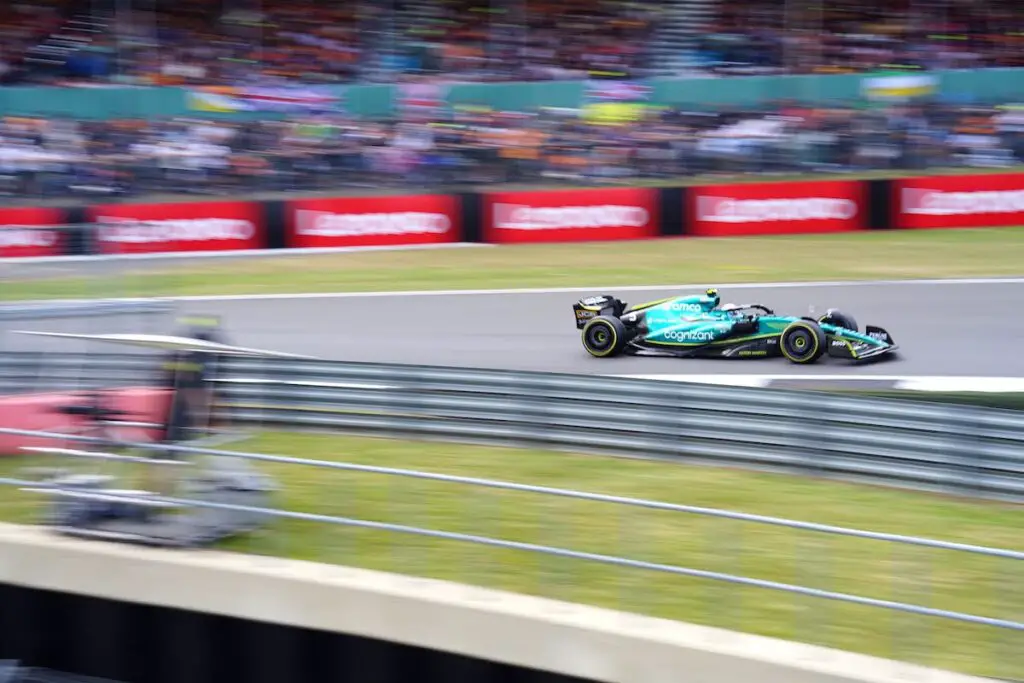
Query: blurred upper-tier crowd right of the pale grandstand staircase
x,y
848,36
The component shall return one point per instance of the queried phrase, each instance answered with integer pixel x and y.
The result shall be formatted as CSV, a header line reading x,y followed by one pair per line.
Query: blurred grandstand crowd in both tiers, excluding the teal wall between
x,y
202,44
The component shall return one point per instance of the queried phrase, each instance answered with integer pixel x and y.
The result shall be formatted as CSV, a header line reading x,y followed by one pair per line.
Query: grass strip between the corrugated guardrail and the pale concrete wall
x,y
940,579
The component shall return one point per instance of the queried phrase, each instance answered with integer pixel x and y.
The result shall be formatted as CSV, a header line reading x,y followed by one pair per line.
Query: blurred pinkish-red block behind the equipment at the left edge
x,y
39,412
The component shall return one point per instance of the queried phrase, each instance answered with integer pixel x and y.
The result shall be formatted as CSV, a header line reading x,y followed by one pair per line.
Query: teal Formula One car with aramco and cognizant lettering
x,y
699,327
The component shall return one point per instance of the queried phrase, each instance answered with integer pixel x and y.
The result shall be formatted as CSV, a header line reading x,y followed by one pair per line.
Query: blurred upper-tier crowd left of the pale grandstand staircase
x,y
199,42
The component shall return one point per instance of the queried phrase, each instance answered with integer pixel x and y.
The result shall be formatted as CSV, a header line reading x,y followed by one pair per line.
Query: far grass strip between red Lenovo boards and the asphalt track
x,y
876,255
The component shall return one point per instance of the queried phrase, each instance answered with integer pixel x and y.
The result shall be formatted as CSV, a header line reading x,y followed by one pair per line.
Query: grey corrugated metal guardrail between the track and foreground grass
x,y
941,448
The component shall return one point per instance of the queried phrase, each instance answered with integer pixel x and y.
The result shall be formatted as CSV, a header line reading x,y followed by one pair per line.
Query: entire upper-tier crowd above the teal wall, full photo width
x,y
192,42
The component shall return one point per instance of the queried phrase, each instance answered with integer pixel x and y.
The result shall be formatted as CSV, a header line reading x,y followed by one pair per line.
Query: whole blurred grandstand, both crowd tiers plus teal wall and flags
x,y
308,97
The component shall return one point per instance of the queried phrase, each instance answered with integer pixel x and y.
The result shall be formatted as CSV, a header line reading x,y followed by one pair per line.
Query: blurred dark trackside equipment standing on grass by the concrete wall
x,y
91,498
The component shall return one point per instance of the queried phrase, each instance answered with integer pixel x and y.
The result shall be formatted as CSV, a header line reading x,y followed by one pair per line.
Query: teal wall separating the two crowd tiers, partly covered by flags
x,y
376,101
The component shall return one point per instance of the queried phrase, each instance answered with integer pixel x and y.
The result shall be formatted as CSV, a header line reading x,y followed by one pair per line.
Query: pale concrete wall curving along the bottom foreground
x,y
554,639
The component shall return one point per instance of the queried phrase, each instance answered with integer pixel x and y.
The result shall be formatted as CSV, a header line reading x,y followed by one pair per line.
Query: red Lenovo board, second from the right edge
x,y
777,208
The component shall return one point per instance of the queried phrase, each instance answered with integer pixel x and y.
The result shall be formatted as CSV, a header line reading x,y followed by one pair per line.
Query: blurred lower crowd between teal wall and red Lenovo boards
x,y
63,158
